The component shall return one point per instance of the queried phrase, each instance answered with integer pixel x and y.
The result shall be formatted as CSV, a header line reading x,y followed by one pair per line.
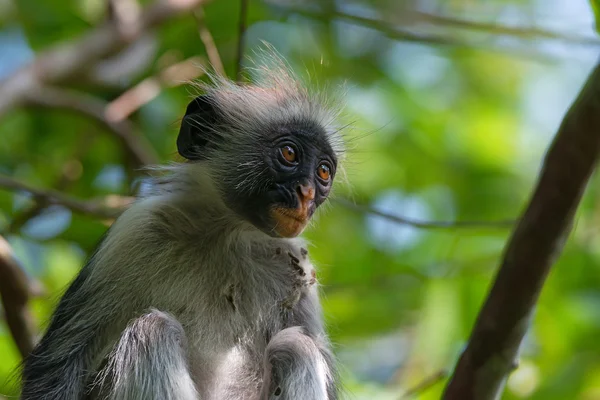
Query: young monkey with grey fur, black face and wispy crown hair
x,y
201,289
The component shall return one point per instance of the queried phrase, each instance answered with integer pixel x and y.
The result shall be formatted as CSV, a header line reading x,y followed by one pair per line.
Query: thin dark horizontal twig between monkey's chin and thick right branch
x,y
426,224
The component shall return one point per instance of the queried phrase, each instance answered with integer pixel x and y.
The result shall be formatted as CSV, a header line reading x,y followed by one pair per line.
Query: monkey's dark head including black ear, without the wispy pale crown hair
x,y
273,171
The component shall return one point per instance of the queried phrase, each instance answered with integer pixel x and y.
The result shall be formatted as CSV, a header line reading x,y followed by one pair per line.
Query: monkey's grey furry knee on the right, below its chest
x,y
295,368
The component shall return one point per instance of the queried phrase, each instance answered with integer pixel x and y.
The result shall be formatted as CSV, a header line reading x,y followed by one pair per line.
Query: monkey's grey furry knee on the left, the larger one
x,y
149,362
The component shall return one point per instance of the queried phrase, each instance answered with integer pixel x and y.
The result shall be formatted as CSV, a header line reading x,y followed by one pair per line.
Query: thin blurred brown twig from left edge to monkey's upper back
x,y
108,207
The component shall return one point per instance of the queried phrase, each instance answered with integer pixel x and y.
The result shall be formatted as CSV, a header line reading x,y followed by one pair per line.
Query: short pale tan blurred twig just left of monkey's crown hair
x,y
133,99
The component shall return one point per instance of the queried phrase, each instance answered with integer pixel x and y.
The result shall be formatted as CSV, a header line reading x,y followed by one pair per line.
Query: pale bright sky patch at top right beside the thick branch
x,y
548,90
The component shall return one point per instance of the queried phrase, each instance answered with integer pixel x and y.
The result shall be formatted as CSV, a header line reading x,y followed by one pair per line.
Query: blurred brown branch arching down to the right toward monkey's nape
x,y
136,145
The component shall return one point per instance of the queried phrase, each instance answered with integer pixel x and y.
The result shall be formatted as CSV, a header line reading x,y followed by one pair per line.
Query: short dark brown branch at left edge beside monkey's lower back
x,y
15,291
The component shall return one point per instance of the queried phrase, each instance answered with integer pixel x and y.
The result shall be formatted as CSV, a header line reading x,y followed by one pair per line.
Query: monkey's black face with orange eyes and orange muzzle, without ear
x,y
291,178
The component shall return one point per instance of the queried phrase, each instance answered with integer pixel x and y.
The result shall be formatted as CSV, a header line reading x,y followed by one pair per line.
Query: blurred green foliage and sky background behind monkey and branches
x,y
452,105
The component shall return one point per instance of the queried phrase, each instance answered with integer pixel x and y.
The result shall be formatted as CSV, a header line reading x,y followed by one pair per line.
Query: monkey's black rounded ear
x,y
197,128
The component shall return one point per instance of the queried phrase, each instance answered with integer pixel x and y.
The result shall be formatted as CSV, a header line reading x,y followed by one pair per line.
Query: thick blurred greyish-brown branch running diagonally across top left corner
x,y
61,62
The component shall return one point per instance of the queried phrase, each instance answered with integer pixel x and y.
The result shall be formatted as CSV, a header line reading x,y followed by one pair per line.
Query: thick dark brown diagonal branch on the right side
x,y
536,242
